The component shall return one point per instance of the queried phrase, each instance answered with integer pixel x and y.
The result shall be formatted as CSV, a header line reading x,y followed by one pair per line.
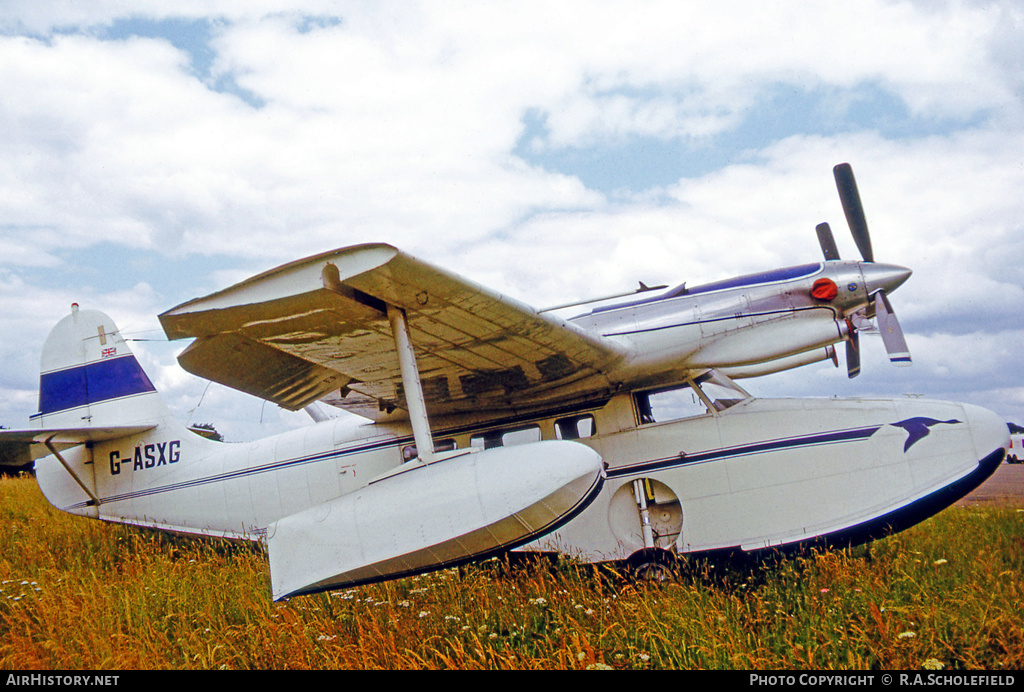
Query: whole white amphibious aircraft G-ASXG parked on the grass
x,y
497,426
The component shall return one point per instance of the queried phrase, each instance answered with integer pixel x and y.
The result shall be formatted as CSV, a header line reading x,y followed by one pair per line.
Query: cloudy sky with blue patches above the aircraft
x,y
156,152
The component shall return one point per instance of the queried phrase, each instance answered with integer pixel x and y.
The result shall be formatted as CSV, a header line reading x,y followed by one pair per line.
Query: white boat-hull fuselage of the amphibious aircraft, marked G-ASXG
x,y
758,473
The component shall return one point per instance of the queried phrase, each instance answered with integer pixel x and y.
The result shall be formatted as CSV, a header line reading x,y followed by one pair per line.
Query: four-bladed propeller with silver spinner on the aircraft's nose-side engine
x,y
881,279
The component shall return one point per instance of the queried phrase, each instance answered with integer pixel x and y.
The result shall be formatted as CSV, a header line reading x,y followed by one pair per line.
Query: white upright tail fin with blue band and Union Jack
x,y
90,378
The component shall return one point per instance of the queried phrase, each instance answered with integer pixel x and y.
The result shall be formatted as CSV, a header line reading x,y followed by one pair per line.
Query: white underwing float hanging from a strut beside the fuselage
x,y
434,516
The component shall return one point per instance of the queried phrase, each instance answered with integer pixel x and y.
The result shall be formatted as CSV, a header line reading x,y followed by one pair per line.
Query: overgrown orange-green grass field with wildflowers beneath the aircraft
x,y
78,594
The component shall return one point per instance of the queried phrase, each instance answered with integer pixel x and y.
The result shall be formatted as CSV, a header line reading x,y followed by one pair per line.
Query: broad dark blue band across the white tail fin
x,y
93,383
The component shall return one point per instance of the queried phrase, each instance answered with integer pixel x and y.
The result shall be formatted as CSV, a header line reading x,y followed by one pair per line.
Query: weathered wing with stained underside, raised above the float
x,y
317,329
